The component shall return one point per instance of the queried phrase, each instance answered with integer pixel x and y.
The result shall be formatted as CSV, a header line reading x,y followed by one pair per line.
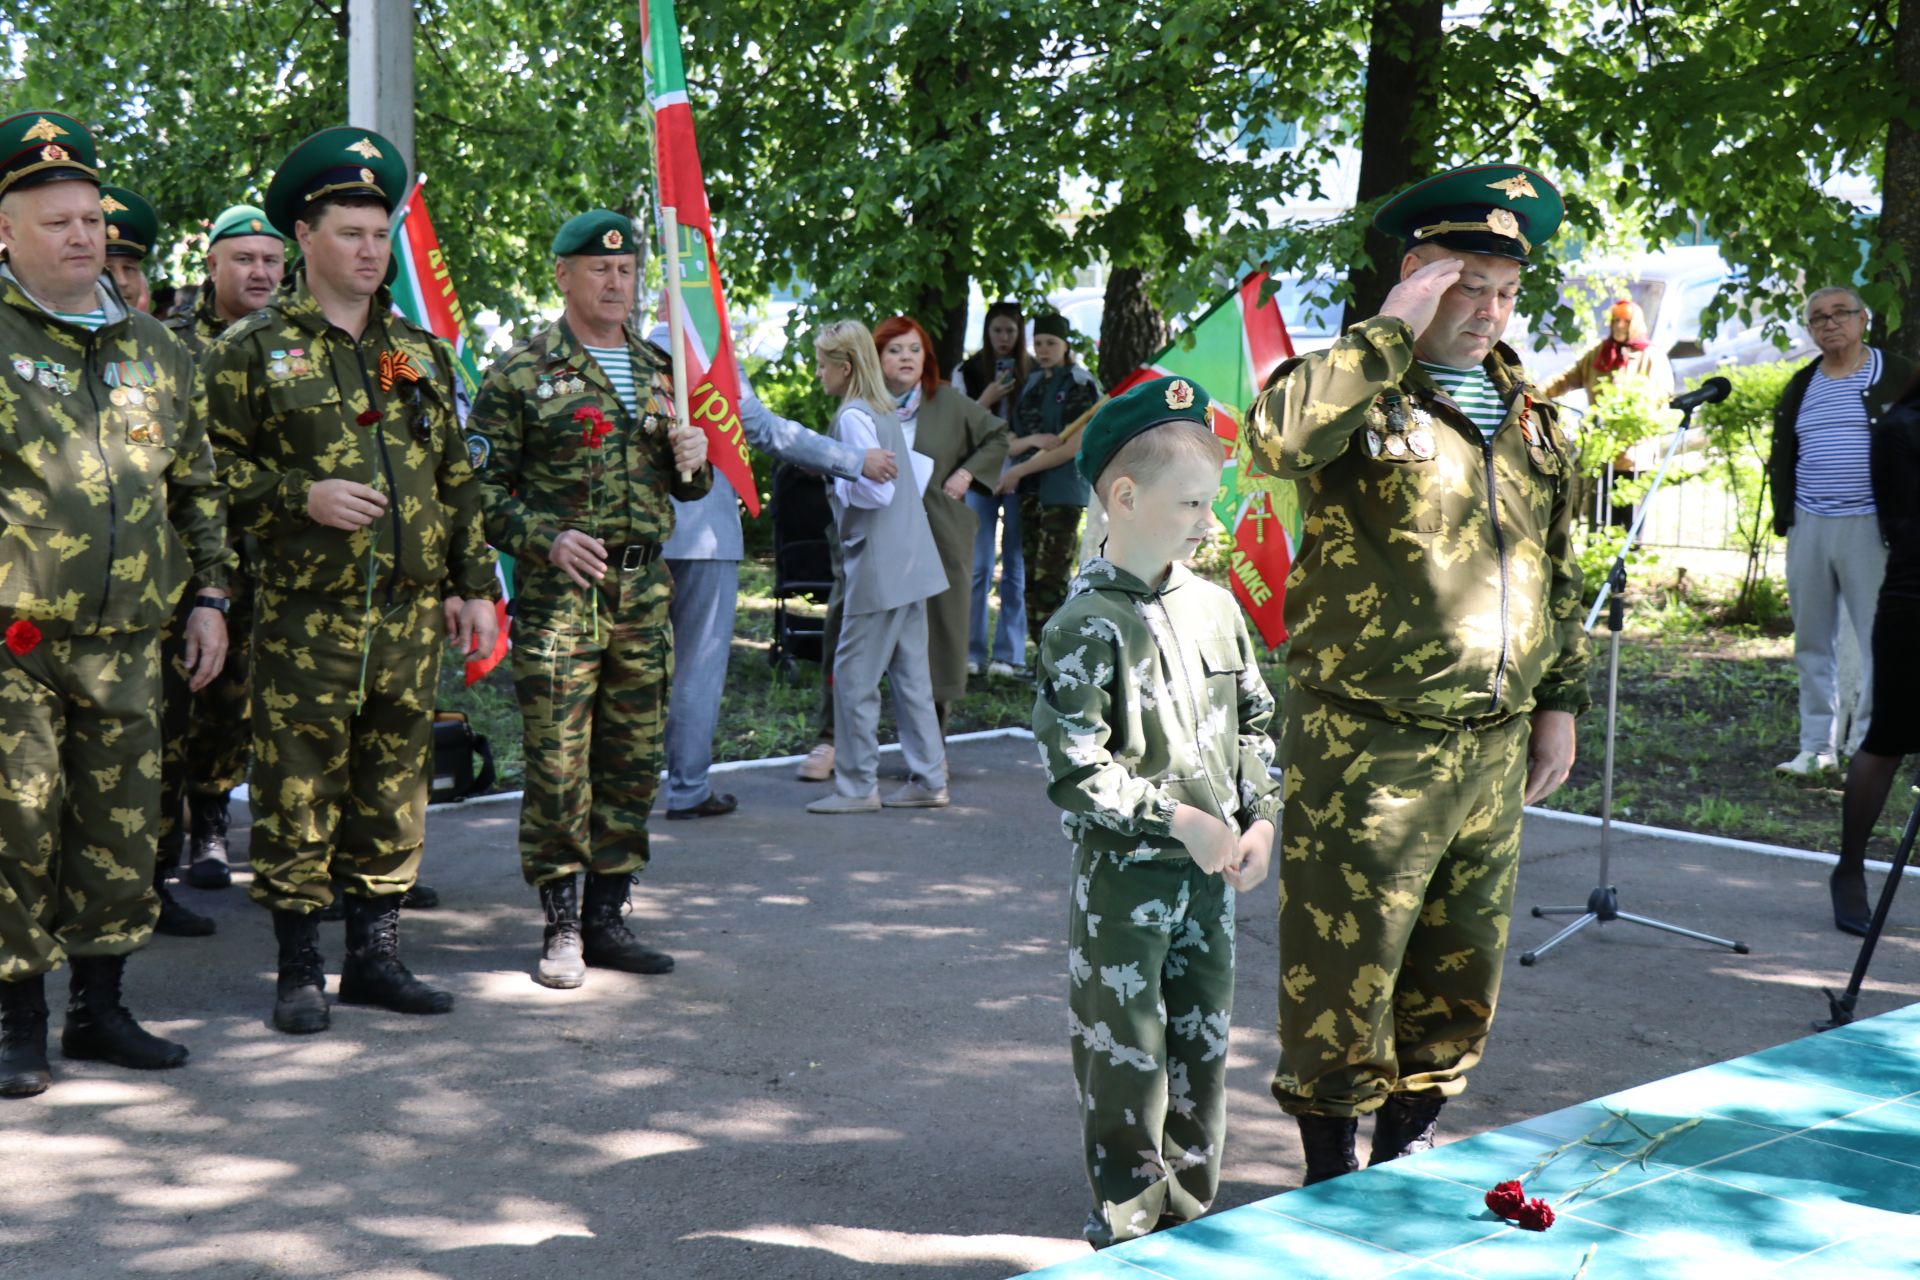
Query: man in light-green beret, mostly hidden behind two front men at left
x,y
206,734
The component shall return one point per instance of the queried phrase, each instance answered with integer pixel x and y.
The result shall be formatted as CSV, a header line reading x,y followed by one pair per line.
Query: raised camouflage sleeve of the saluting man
x,y
1307,417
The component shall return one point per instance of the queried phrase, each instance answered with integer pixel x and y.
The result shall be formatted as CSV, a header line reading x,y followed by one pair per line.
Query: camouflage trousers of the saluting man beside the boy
x,y
1399,855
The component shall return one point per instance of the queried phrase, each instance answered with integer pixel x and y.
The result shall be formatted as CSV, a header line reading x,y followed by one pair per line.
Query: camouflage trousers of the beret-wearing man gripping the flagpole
x,y
594,715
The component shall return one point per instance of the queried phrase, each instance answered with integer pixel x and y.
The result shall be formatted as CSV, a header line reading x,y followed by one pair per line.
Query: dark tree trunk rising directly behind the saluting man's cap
x,y
1395,143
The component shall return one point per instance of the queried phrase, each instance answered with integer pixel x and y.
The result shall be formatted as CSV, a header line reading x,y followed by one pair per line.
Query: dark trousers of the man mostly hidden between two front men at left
x,y
206,736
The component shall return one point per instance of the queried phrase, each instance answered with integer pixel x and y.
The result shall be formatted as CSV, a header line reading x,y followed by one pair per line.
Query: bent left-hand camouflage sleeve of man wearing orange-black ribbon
x,y
260,500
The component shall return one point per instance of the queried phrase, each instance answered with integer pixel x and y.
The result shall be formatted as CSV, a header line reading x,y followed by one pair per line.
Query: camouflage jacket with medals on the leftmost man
x,y
108,506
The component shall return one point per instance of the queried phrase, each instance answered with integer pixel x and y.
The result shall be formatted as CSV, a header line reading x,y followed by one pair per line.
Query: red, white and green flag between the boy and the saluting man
x,y
1232,350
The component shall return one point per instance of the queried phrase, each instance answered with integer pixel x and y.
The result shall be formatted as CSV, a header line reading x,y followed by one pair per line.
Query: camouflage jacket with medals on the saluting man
x,y
1435,579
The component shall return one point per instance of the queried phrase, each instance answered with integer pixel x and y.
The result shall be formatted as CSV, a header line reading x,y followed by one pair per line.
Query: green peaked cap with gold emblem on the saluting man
x,y
1497,210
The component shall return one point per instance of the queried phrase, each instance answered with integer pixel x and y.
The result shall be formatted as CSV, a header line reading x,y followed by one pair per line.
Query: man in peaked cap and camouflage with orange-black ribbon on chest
x,y
337,437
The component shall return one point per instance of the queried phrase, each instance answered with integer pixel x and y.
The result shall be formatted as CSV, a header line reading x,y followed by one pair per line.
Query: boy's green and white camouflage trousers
x,y
1149,1007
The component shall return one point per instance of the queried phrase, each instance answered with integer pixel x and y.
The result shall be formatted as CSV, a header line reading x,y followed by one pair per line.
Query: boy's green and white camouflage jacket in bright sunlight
x,y
1149,699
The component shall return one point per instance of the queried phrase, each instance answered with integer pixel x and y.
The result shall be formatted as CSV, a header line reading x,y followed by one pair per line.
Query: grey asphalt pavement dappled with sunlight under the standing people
x,y
859,1070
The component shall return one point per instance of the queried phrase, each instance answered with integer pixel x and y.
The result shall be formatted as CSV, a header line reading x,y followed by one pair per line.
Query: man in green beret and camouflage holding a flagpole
x,y
577,456
